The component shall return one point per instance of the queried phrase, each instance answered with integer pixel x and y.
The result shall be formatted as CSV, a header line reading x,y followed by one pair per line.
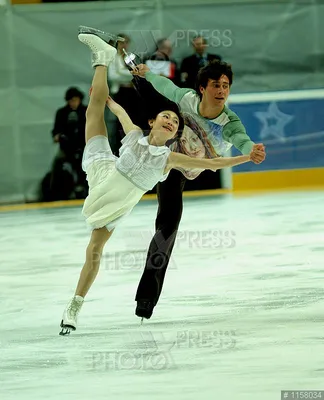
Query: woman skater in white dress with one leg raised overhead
x,y
117,184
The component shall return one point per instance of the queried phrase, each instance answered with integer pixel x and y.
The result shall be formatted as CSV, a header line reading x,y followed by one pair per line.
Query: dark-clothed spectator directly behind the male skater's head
x,y
191,65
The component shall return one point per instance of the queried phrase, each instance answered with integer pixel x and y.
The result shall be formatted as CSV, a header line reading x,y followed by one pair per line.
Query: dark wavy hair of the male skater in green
x,y
213,70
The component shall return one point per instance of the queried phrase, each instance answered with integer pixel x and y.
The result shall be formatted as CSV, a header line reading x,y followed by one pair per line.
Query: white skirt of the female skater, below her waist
x,y
111,196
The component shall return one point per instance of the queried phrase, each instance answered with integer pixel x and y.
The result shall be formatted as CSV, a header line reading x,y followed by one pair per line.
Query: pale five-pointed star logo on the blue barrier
x,y
273,122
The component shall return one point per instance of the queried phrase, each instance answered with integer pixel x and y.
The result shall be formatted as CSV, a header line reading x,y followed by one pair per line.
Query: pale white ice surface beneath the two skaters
x,y
240,316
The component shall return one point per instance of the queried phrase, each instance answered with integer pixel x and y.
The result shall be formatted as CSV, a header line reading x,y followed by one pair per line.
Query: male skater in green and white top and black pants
x,y
207,106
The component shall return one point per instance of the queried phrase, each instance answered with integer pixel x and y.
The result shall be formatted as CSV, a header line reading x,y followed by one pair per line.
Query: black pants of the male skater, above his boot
x,y
166,227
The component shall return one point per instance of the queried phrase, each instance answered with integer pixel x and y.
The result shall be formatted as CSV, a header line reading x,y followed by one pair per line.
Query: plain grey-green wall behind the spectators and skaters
x,y
273,45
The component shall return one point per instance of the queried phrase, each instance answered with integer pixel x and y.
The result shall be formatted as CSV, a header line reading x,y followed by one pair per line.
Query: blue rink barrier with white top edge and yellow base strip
x,y
291,126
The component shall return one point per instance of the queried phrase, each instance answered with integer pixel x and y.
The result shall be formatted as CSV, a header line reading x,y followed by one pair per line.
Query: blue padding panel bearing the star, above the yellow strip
x,y
292,131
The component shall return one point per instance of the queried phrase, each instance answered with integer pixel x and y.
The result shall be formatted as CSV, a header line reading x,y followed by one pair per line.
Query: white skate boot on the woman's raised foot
x,y
102,52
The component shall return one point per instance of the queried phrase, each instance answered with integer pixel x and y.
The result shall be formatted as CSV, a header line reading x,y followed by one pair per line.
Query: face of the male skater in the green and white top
x,y
216,92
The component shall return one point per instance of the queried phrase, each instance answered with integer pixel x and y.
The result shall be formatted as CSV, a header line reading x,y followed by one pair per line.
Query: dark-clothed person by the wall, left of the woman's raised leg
x,y
67,178
